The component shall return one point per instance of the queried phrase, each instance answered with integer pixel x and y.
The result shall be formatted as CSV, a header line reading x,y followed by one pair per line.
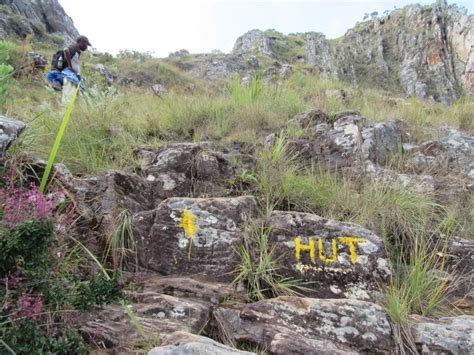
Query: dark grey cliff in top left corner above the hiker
x,y
19,18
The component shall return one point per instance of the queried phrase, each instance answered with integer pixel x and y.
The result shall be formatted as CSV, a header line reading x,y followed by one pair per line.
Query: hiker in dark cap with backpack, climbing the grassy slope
x,y
65,71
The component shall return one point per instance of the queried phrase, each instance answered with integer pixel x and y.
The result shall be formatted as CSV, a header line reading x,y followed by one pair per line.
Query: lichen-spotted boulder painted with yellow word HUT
x,y
336,259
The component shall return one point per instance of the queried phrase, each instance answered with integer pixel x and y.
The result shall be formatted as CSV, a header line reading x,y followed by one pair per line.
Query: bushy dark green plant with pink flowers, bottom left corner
x,y
42,285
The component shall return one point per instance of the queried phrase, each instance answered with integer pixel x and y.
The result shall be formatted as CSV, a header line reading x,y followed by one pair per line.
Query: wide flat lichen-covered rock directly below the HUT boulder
x,y
289,325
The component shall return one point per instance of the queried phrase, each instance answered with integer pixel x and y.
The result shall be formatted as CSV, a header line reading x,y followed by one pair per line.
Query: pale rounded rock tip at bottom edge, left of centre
x,y
182,343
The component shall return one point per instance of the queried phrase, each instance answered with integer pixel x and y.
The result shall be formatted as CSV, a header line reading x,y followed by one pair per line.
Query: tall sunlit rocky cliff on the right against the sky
x,y
425,51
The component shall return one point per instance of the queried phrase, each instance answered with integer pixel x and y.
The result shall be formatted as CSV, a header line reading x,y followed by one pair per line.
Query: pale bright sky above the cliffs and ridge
x,y
164,26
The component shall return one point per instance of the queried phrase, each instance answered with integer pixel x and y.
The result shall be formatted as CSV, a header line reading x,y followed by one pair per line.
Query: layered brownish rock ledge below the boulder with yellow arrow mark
x,y
161,306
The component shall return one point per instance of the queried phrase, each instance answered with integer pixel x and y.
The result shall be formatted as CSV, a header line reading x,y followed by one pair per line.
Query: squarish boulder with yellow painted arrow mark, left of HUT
x,y
188,236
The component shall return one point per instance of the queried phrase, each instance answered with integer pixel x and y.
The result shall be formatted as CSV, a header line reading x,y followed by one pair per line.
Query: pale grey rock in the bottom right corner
x,y
450,335
